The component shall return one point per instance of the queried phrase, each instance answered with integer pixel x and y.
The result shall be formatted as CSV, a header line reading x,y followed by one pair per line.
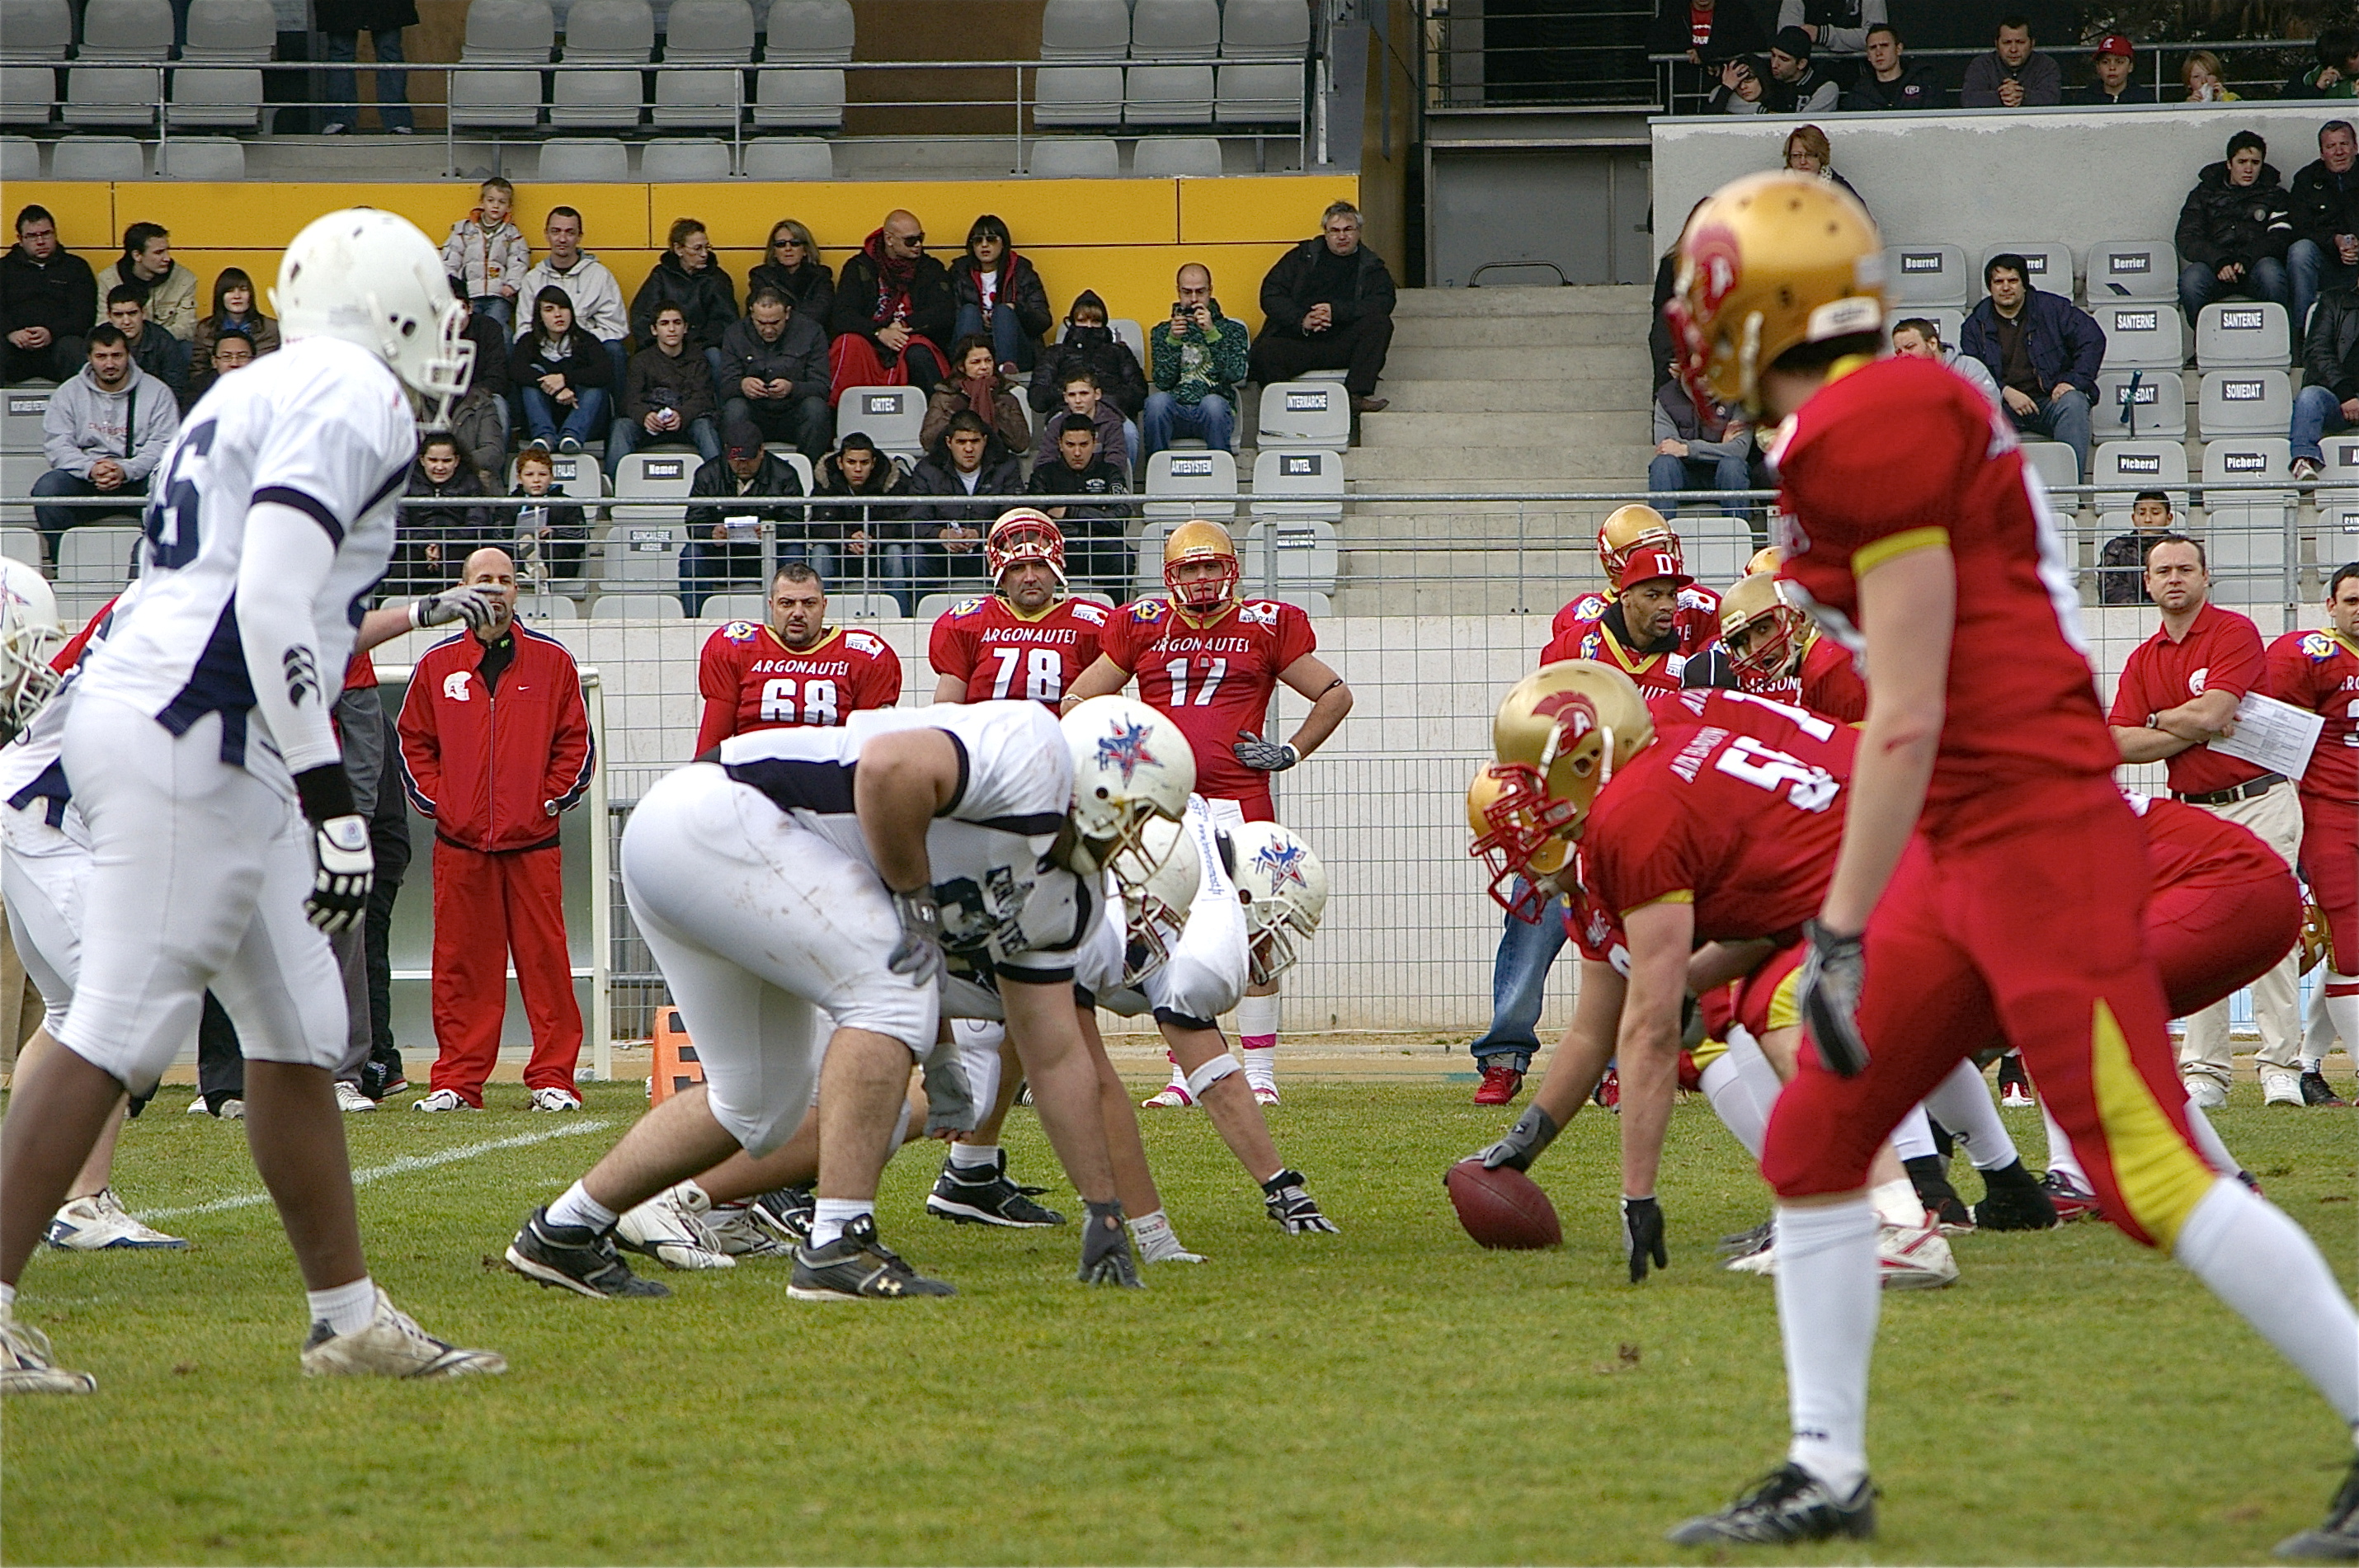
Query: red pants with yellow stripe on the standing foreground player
x,y
2028,925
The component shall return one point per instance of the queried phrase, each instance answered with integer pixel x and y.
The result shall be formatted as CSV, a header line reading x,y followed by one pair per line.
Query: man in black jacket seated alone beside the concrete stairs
x,y
1327,308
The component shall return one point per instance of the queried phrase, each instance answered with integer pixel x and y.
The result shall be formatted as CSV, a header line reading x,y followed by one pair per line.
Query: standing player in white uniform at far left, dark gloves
x,y
223,834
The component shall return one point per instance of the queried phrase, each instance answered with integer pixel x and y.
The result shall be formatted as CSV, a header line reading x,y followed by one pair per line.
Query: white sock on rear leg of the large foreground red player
x,y
2266,1267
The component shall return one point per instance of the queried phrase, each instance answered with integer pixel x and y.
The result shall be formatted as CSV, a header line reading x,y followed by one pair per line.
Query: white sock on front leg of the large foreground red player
x,y
1827,1303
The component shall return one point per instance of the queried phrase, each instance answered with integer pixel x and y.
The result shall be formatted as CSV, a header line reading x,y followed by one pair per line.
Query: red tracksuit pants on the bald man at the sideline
x,y
485,909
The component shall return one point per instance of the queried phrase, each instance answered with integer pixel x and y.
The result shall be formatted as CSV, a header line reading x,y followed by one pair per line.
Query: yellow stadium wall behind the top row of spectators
x,y
1119,237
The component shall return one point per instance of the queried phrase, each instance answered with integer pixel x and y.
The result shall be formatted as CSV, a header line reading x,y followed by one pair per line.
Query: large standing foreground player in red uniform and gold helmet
x,y
1990,874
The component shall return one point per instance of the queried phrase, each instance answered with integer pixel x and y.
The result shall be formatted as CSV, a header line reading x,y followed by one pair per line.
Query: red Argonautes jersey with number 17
x,y
1214,680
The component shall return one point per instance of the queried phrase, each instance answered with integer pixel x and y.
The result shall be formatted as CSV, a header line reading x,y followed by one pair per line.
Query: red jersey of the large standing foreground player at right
x,y
1898,456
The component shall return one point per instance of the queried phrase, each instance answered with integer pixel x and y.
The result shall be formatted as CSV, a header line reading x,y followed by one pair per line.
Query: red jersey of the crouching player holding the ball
x,y
1737,808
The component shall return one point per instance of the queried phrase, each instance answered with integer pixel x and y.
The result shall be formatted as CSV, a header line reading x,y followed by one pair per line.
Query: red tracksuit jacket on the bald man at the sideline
x,y
494,763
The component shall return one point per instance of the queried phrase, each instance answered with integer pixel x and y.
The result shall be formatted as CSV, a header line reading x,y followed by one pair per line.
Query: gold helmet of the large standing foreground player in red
x,y
1768,265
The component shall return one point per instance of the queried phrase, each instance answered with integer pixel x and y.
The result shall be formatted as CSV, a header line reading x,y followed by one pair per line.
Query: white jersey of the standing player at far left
x,y
322,428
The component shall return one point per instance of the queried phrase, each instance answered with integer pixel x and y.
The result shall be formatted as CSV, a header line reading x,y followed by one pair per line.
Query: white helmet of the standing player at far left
x,y
376,282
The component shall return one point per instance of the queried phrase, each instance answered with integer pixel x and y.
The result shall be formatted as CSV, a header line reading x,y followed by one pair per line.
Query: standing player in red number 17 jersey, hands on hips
x,y
1211,661
